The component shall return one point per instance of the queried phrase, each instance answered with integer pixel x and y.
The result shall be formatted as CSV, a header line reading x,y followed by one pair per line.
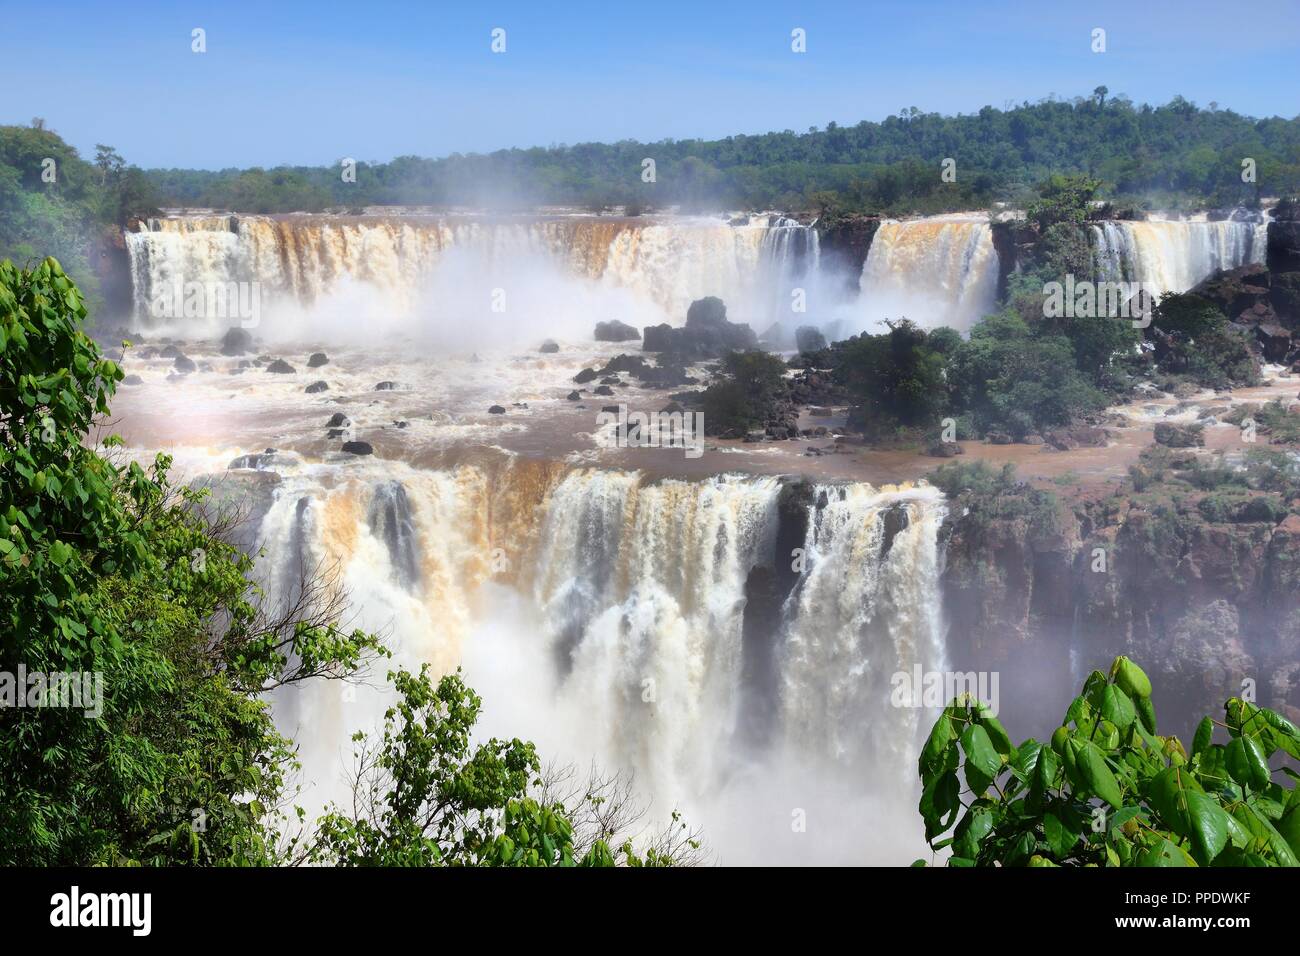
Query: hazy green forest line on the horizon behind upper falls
x,y
1178,155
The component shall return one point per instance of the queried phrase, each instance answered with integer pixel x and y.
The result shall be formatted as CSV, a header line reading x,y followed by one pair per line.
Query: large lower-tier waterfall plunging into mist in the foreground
x,y
634,596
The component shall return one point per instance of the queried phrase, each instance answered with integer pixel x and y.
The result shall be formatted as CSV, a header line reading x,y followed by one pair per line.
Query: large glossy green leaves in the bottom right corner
x,y
1107,790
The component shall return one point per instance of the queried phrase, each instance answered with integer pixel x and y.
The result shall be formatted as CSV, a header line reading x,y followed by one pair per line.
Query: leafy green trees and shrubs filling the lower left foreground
x,y
110,570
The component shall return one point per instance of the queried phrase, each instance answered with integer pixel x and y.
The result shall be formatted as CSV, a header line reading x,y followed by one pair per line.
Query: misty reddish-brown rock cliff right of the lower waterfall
x,y
1032,586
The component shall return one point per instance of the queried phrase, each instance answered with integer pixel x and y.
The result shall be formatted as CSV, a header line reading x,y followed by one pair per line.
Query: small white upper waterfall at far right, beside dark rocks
x,y
1173,256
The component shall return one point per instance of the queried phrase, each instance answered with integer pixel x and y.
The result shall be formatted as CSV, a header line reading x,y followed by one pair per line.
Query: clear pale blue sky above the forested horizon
x,y
310,83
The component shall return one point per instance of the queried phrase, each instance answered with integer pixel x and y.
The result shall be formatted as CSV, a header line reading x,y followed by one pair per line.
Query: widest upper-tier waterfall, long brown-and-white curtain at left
x,y
302,262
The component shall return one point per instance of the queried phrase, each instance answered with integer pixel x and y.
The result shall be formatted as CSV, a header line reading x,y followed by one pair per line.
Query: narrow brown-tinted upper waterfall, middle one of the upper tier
x,y
941,271
